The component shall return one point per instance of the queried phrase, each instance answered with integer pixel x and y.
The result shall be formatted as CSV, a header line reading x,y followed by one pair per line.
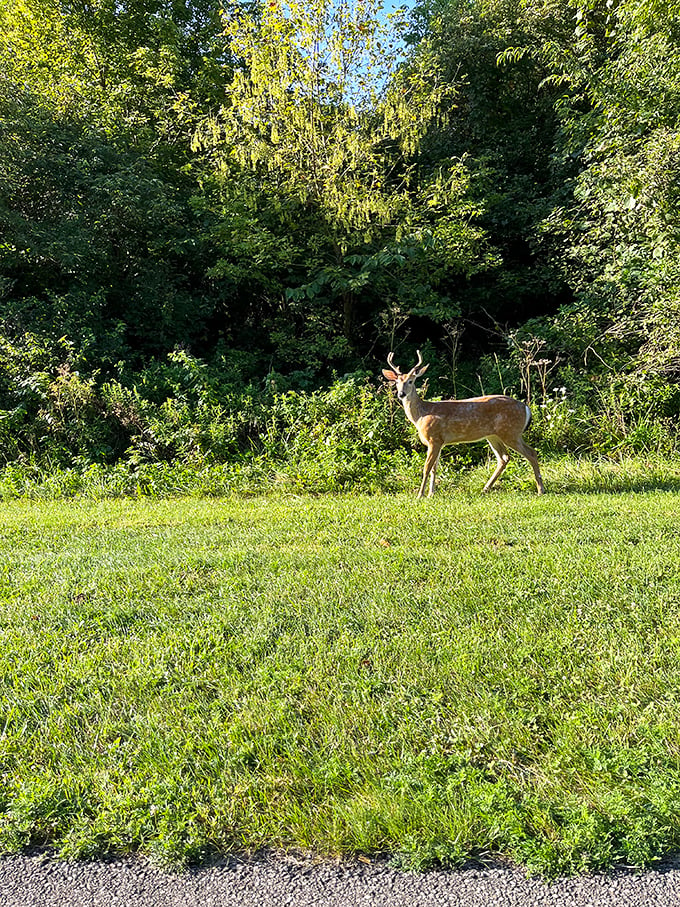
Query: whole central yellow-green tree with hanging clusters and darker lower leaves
x,y
324,121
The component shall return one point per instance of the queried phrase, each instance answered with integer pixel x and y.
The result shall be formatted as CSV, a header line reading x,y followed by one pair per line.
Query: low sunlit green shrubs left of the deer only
x,y
180,411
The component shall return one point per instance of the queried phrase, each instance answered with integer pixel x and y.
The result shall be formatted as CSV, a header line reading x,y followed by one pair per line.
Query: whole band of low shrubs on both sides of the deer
x,y
183,415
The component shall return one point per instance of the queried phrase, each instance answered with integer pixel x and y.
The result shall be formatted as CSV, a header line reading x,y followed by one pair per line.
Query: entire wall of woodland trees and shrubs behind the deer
x,y
205,217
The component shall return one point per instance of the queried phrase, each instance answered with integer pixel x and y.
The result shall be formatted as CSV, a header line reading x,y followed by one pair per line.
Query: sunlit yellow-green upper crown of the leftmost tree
x,y
135,68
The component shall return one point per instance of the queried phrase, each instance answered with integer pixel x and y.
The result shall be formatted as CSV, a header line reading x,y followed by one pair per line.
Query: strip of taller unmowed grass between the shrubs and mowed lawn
x,y
462,470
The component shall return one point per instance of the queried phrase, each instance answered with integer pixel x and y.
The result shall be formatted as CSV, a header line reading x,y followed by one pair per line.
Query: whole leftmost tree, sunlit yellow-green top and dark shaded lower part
x,y
101,239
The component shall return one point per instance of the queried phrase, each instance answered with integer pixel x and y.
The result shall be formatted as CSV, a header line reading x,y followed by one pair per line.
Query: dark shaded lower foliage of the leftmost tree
x,y
67,197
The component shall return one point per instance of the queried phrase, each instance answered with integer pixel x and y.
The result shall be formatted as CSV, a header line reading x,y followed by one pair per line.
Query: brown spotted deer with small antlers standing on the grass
x,y
498,419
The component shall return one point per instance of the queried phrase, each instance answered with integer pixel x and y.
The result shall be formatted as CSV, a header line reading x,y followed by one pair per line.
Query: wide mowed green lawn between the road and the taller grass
x,y
469,675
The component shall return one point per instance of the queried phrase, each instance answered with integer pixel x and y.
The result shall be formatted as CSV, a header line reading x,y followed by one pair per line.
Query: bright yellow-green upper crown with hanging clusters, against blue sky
x,y
291,110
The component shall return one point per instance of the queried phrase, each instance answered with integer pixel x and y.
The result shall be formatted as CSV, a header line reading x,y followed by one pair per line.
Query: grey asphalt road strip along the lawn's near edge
x,y
38,881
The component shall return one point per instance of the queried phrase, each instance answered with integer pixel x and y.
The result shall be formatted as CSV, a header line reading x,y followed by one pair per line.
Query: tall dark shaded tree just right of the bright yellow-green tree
x,y
504,122
